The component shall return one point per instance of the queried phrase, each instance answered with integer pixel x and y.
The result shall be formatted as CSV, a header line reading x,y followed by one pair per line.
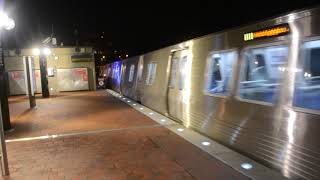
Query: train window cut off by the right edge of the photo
x,y
307,81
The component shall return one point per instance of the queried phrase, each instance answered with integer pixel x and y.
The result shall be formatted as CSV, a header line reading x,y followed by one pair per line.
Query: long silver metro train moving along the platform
x,y
255,89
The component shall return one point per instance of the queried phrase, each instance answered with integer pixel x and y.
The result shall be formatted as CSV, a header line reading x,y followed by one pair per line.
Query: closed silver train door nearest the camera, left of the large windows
x,y
177,81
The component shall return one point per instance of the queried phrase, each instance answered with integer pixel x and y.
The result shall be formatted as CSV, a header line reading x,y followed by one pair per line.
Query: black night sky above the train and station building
x,y
132,26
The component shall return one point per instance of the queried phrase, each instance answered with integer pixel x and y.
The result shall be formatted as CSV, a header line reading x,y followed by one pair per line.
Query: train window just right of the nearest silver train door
x,y
219,72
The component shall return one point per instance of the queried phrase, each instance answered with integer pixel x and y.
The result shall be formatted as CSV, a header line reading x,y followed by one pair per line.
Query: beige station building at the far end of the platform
x,y
68,69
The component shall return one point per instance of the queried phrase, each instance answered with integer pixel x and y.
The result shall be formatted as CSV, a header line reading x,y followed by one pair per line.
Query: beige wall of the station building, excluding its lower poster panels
x,y
66,60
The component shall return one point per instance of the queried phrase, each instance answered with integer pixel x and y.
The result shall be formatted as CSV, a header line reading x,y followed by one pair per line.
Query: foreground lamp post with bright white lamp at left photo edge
x,y
8,24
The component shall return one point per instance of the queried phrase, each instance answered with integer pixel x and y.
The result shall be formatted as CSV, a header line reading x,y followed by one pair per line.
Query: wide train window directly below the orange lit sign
x,y
262,73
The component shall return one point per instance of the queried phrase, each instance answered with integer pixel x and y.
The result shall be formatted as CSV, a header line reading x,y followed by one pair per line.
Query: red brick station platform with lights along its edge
x,y
102,135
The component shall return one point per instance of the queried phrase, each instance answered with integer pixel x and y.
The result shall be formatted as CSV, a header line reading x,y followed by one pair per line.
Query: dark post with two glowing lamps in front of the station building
x,y
43,54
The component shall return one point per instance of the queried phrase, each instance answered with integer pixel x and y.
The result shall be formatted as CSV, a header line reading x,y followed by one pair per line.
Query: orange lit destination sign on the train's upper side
x,y
274,31
